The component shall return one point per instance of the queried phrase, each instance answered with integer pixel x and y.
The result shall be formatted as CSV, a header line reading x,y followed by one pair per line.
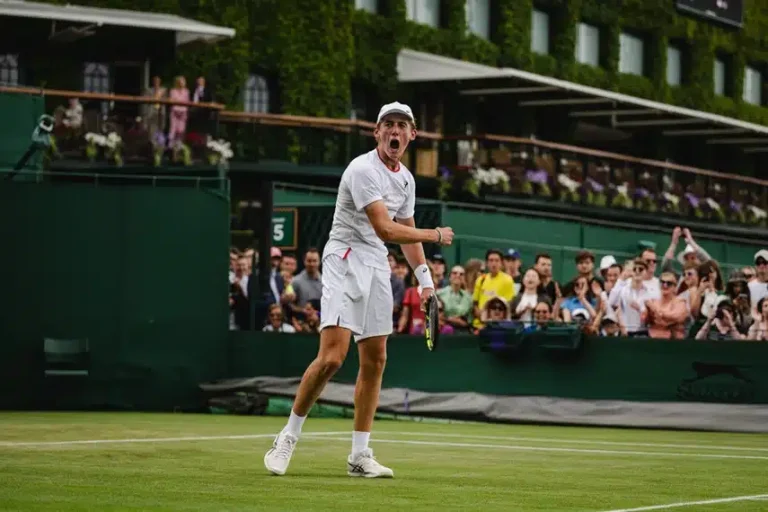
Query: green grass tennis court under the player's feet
x,y
132,461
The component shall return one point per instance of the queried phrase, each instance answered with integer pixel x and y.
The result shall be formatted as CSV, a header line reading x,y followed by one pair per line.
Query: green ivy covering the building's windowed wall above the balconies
x,y
313,50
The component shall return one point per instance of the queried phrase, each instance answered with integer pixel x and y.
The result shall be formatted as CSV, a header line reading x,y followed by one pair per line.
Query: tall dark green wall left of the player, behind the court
x,y
139,271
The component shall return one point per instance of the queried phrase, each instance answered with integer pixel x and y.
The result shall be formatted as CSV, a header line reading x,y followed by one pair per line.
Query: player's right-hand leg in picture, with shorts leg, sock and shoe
x,y
372,351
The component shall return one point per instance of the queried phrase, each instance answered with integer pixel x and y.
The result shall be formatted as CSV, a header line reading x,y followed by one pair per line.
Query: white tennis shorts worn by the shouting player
x,y
356,296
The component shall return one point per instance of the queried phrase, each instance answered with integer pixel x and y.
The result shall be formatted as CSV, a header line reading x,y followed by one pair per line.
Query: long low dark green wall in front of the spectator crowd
x,y
605,368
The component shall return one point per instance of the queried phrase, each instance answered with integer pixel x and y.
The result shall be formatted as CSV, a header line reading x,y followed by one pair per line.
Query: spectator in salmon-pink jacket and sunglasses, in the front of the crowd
x,y
667,315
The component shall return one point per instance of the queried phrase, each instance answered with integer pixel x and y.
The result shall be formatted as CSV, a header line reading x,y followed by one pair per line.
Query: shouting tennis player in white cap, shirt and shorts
x,y
375,204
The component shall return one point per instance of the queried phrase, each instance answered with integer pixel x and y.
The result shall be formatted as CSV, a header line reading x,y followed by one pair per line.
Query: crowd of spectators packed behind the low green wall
x,y
637,297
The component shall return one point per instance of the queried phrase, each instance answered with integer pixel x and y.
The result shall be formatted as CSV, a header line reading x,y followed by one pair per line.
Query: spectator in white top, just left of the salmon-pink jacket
x,y
631,298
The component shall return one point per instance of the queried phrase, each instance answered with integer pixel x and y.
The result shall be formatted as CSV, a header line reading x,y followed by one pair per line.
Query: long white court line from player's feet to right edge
x,y
375,440
